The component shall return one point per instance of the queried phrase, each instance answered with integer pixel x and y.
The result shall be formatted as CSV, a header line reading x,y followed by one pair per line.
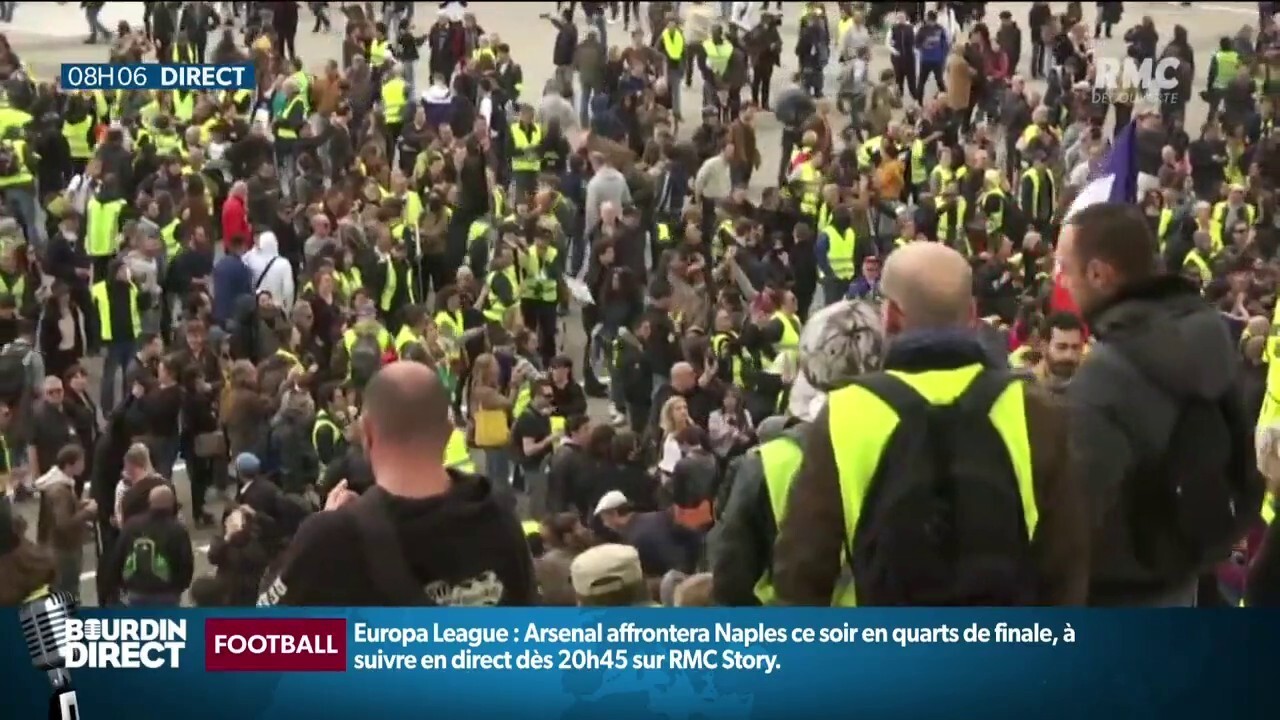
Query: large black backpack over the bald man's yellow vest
x,y
943,523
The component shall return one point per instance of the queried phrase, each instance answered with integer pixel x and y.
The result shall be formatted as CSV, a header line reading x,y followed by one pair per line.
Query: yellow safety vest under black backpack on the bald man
x,y
858,455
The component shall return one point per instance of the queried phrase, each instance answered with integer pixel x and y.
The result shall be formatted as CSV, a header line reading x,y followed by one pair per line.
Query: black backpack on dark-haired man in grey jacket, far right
x,y
1204,495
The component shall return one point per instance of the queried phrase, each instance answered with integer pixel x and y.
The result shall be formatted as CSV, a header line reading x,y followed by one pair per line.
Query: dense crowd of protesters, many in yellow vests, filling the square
x,y
249,265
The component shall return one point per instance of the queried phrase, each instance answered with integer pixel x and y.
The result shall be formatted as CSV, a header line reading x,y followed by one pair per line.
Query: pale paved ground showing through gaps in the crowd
x,y
47,35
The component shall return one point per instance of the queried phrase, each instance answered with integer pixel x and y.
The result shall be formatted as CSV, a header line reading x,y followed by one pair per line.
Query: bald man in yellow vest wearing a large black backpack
x,y
935,356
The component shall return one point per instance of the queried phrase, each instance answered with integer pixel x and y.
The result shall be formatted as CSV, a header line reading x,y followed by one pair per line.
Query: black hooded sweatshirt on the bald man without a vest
x,y
464,549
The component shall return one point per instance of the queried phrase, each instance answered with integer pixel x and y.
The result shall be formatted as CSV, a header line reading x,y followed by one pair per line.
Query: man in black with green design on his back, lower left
x,y
152,563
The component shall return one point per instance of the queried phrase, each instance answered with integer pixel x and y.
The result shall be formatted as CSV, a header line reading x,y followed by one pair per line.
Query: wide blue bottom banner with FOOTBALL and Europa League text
x,y
659,663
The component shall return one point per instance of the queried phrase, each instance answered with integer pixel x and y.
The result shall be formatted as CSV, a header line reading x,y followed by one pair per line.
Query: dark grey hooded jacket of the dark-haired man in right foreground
x,y
1156,348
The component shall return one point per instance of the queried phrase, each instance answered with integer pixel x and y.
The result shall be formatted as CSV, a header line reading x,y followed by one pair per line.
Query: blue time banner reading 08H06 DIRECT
x,y
152,76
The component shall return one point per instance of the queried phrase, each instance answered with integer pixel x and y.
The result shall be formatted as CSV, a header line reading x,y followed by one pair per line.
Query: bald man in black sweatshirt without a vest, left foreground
x,y
423,535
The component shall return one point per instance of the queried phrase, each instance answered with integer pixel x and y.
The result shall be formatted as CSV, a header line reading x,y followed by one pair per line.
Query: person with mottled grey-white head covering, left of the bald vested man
x,y
839,344
